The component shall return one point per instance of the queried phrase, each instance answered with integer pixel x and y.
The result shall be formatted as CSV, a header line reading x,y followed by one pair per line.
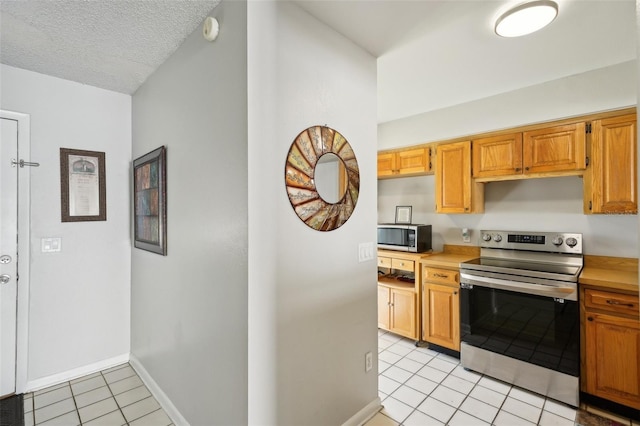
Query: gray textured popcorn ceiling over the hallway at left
x,y
113,45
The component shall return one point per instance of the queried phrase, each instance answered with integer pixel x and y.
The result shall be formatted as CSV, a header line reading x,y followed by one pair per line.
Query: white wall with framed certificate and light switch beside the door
x,y
79,297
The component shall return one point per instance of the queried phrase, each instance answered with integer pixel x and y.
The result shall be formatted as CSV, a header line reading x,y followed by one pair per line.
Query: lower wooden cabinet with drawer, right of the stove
x,y
611,350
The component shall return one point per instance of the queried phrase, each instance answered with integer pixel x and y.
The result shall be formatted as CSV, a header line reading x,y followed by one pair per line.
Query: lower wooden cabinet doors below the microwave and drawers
x,y
397,311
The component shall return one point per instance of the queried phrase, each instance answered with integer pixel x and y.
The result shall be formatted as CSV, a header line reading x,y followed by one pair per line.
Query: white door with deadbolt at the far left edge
x,y
8,254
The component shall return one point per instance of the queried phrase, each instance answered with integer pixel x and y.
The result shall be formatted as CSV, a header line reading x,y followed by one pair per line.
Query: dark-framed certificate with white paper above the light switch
x,y
83,188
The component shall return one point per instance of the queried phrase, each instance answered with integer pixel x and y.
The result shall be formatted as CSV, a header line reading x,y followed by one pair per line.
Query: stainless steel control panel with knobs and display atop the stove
x,y
559,242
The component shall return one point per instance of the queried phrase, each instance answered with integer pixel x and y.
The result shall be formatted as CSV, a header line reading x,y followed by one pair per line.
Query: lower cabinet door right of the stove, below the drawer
x,y
612,354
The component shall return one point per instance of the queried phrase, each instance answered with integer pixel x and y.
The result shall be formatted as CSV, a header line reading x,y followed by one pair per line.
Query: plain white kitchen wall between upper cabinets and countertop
x,y
550,204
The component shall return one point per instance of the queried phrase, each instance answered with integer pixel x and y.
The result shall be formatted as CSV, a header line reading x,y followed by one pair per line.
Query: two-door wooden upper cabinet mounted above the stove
x,y
550,151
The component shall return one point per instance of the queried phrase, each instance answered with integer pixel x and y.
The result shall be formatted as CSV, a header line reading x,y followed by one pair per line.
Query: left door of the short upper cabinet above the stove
x,y
497,156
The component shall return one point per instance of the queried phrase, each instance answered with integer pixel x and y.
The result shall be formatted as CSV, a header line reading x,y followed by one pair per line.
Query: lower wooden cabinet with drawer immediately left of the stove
x,y
441,307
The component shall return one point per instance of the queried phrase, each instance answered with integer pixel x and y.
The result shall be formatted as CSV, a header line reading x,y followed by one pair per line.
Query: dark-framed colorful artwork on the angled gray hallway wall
x,y
150,201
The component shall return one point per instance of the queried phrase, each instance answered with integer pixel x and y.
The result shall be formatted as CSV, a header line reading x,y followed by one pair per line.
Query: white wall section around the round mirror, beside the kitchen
x,y
312,305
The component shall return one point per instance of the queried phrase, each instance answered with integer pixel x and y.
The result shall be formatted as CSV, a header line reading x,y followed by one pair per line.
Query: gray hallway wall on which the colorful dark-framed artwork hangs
x,y
189,309
